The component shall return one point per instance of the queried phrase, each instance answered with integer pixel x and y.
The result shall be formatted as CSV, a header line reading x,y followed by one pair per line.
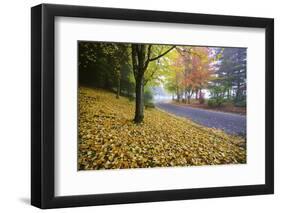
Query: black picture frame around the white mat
x,y
43,102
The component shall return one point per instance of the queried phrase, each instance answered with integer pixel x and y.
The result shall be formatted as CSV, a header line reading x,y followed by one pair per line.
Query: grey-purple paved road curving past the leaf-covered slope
x,y
229,122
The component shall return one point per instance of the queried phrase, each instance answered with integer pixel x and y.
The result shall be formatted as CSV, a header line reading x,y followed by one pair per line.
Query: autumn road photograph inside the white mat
x,y
160,105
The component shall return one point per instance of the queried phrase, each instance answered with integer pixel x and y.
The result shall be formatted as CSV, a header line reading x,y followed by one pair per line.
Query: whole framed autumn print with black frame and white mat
x,y
139,106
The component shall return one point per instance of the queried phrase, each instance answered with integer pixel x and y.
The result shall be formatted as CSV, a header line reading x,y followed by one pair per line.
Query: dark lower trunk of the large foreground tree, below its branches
x,y
139,101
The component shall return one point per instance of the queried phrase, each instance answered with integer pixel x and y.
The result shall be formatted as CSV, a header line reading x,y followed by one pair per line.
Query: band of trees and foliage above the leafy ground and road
x,y
186,72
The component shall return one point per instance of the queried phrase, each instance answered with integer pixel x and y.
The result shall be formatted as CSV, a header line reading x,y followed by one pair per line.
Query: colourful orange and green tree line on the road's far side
x,y
219,71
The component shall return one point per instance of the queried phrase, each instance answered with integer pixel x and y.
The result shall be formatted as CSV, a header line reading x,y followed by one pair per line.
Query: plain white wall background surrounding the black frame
x,y
15,105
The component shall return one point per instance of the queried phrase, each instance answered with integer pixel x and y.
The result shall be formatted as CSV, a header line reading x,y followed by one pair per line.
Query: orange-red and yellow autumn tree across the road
x,y
191,71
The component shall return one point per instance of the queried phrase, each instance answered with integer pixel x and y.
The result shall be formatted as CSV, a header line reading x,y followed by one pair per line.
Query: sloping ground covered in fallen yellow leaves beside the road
x,y
109,139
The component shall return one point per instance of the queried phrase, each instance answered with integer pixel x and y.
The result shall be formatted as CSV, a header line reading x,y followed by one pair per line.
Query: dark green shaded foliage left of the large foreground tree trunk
x,y
105,65
